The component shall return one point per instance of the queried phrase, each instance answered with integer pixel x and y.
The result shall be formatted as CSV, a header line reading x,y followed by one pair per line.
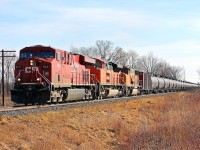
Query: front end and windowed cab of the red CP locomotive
x,y
33,75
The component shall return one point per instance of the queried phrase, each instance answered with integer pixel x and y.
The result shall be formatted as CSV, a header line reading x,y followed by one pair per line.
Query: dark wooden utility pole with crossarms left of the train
x,y
3,56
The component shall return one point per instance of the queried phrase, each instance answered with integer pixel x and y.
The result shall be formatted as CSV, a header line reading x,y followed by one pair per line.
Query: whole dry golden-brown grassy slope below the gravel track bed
x,y
162,122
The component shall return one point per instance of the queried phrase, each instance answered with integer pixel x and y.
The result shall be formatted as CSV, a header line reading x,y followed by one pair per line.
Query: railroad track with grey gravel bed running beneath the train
x,y
17,111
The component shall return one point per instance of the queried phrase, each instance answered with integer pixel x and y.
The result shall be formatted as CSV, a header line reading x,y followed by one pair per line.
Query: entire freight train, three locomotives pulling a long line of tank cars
x,y
44,74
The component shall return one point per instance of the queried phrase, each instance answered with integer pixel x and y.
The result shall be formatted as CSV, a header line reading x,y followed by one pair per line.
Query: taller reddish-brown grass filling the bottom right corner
x,y
177,127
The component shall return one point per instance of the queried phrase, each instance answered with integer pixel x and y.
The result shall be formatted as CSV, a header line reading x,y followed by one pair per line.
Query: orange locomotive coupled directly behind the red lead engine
x,y
109,83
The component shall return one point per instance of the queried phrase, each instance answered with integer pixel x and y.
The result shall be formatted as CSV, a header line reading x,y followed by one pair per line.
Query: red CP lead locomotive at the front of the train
x,y
47,74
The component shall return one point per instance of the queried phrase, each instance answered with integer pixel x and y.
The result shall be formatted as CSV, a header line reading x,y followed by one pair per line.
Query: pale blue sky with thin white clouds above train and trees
x,y
170,29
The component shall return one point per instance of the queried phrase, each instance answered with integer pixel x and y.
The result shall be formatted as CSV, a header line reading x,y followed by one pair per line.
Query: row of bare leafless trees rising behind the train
x,y
105,50
